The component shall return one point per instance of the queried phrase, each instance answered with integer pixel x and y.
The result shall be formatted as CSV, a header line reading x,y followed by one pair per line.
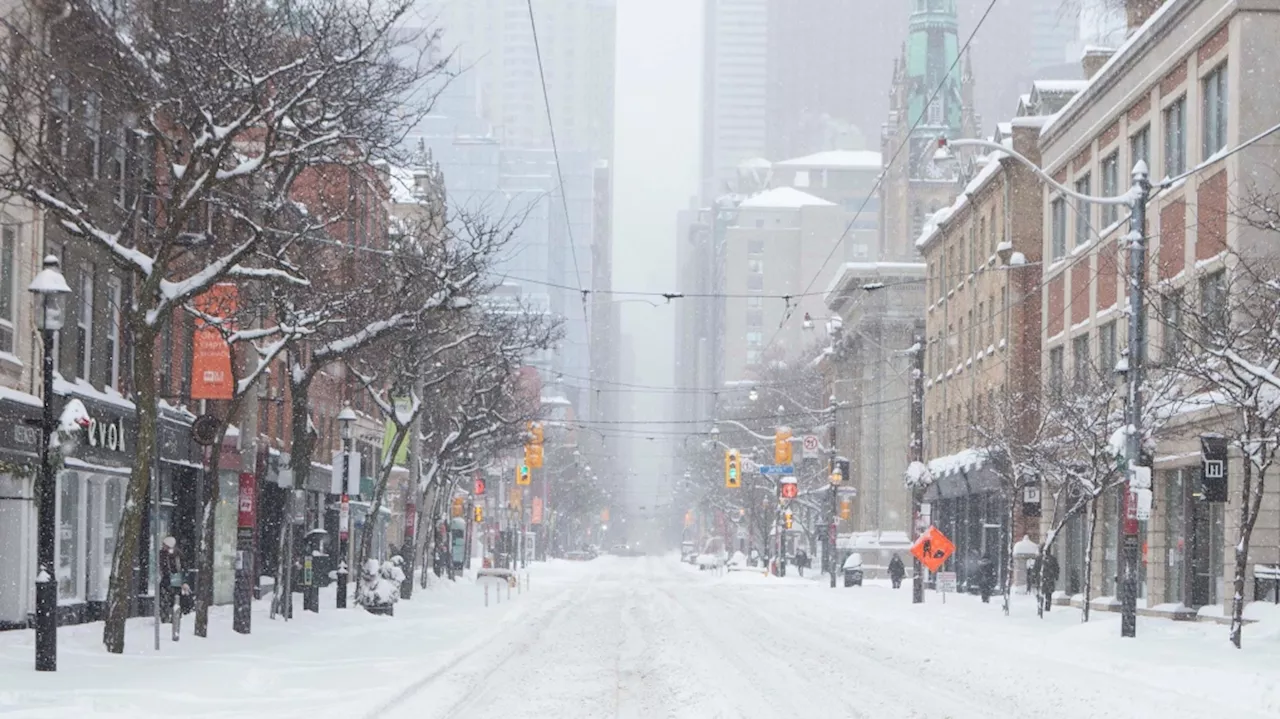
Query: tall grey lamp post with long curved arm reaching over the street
x,y
1136,199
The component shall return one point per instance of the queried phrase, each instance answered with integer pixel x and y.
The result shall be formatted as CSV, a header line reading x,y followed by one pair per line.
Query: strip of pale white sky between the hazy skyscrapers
x,y
657,162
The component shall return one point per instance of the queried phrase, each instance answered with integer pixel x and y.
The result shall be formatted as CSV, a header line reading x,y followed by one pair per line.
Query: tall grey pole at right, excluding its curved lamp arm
x,y
1137,346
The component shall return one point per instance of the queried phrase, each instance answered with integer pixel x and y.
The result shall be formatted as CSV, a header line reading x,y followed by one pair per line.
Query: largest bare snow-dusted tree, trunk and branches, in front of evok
x,y
236,103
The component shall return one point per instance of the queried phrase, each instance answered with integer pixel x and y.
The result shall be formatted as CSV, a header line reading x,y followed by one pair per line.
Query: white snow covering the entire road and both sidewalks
x,y
651,638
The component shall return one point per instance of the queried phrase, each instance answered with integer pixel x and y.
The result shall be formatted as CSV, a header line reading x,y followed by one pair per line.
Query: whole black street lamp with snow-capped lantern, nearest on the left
x,y
51,288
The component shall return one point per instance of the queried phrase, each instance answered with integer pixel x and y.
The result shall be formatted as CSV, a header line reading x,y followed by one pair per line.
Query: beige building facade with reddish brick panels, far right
x,y
1178,95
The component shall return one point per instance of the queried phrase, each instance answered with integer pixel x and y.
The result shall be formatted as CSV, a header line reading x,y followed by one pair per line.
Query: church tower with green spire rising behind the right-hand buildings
x,y
931,97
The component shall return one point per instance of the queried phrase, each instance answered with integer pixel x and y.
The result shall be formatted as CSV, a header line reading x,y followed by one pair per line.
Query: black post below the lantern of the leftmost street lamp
x,y
47,587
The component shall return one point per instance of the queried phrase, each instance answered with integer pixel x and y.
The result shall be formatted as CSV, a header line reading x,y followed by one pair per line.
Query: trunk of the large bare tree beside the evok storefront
x,y
120,594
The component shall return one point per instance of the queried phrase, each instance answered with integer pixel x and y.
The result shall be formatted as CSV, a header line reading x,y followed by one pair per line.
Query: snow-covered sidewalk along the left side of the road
x,y
337,663
